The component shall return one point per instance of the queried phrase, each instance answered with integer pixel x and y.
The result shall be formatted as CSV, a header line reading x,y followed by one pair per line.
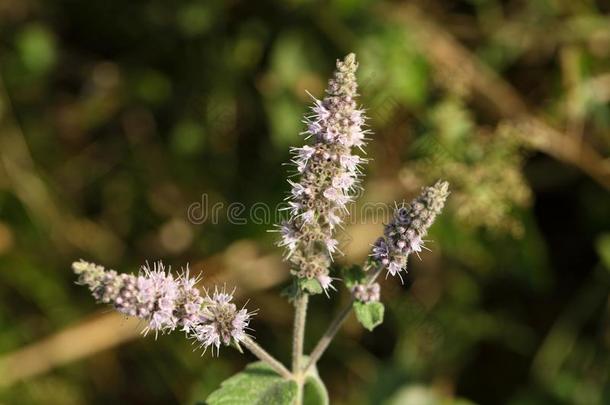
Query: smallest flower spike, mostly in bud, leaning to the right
x,y
404,234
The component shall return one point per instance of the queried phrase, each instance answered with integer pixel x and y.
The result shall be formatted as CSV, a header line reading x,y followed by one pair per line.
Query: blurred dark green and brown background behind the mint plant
x,y
117,116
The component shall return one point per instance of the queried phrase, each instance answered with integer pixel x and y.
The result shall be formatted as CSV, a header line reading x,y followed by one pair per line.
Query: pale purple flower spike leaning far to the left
x,y
167,303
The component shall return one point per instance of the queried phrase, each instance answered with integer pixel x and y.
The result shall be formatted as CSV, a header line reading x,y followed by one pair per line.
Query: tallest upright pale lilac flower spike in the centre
x,y
328,177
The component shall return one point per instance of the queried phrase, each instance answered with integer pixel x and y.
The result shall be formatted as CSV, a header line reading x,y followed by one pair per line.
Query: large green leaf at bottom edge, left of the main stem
x,y
258,384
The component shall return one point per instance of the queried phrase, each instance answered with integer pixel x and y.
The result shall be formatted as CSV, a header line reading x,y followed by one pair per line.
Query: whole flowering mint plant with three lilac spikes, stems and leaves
x,y
328,174
